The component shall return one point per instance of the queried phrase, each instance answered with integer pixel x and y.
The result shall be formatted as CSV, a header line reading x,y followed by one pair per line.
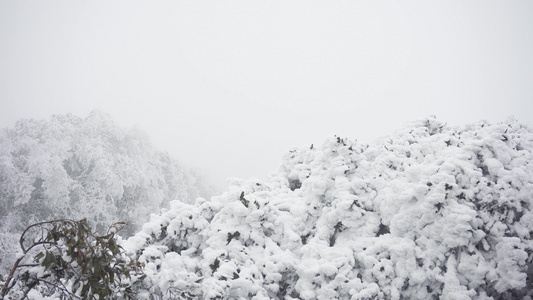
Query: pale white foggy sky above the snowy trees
x,y
230,86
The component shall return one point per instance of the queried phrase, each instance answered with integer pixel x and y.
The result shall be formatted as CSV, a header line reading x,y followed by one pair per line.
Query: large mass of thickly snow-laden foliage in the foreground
x,y
430,212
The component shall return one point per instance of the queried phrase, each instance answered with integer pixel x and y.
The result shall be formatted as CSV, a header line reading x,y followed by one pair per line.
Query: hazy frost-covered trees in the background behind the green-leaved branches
x,y
75,168
